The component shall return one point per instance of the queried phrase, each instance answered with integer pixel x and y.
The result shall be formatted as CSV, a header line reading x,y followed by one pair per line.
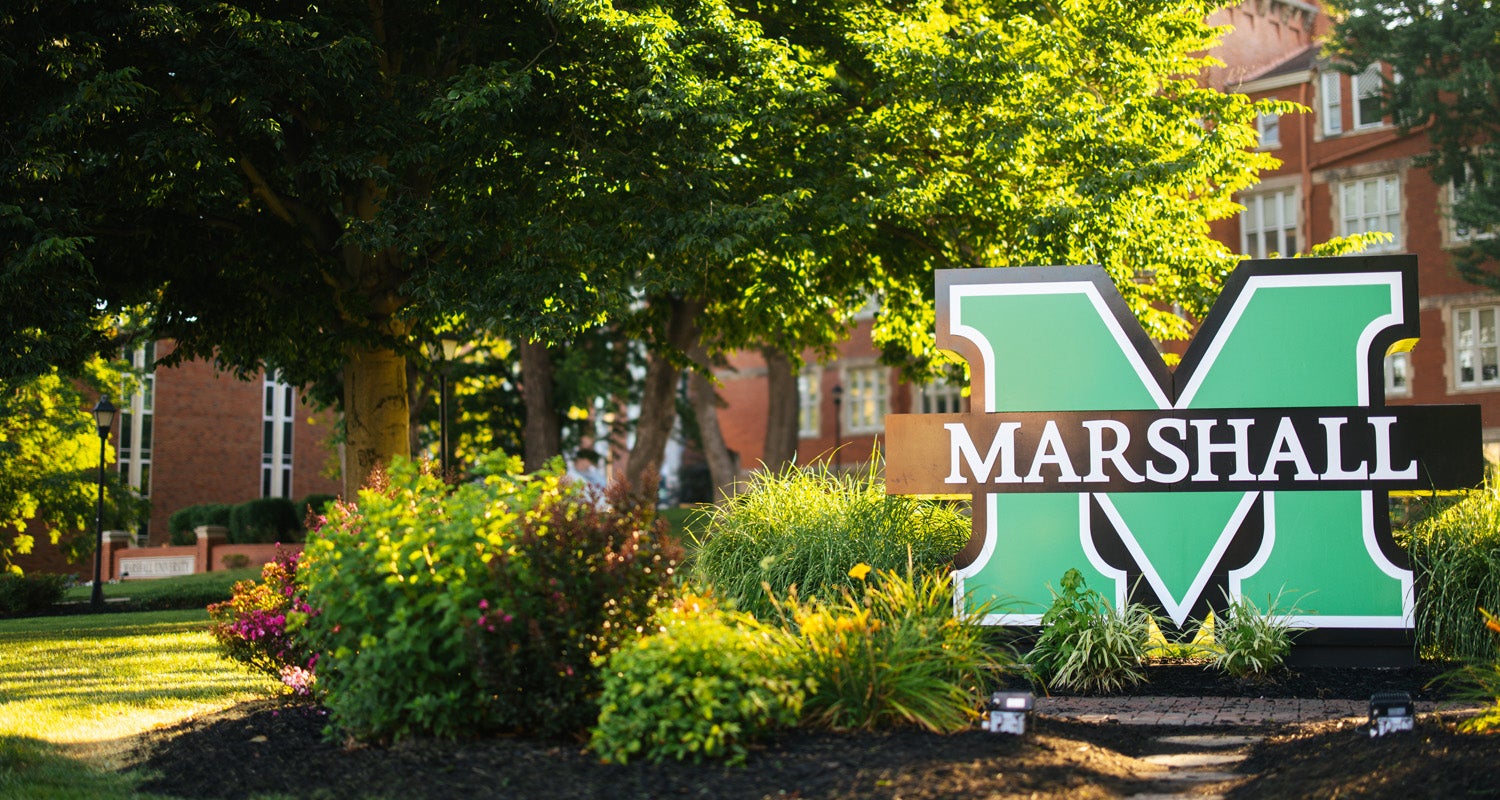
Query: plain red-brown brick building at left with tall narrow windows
x,y
196,436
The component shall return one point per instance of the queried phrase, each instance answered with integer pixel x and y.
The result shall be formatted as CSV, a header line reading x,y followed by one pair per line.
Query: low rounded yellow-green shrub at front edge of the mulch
x,y
703,685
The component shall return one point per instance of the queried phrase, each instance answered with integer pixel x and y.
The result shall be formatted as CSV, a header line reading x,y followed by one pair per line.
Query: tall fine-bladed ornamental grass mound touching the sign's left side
x,y
806,525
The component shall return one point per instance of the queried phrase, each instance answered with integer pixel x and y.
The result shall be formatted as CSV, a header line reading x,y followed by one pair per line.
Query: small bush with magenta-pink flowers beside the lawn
x,y
259,625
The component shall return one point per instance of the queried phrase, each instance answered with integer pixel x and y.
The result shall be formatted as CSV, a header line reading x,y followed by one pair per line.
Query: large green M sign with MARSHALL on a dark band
x,y
1259,468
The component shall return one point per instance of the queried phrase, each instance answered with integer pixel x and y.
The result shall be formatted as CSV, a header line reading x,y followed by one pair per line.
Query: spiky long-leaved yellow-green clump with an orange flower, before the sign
x,y
892,654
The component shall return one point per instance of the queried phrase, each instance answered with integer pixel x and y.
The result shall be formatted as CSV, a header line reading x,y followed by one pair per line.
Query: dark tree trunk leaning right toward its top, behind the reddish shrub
x,y
659,394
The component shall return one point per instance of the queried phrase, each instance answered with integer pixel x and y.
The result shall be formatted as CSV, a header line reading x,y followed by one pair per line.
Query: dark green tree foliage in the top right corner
x,y
1445,58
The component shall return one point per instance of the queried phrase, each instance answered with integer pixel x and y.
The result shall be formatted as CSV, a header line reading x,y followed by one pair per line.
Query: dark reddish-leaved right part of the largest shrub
x,y
571,583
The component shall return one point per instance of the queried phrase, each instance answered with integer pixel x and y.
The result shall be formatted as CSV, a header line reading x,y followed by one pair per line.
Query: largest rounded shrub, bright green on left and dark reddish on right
x,y
458,610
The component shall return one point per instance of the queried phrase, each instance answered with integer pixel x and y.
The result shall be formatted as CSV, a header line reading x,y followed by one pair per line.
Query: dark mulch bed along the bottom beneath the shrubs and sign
x,y
271,748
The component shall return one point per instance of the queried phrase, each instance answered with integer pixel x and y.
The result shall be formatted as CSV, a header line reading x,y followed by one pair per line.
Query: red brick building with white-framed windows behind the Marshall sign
x,y
1345,170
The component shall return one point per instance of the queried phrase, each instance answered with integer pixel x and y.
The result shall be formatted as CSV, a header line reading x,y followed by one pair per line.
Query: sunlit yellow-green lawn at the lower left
x,y
76,691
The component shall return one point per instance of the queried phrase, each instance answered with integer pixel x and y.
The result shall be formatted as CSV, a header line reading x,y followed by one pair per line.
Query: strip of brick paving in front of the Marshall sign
x,y
1159,711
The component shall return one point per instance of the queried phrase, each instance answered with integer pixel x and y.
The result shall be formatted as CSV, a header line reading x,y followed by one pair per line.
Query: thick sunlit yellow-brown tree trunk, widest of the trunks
x,y
376,417
